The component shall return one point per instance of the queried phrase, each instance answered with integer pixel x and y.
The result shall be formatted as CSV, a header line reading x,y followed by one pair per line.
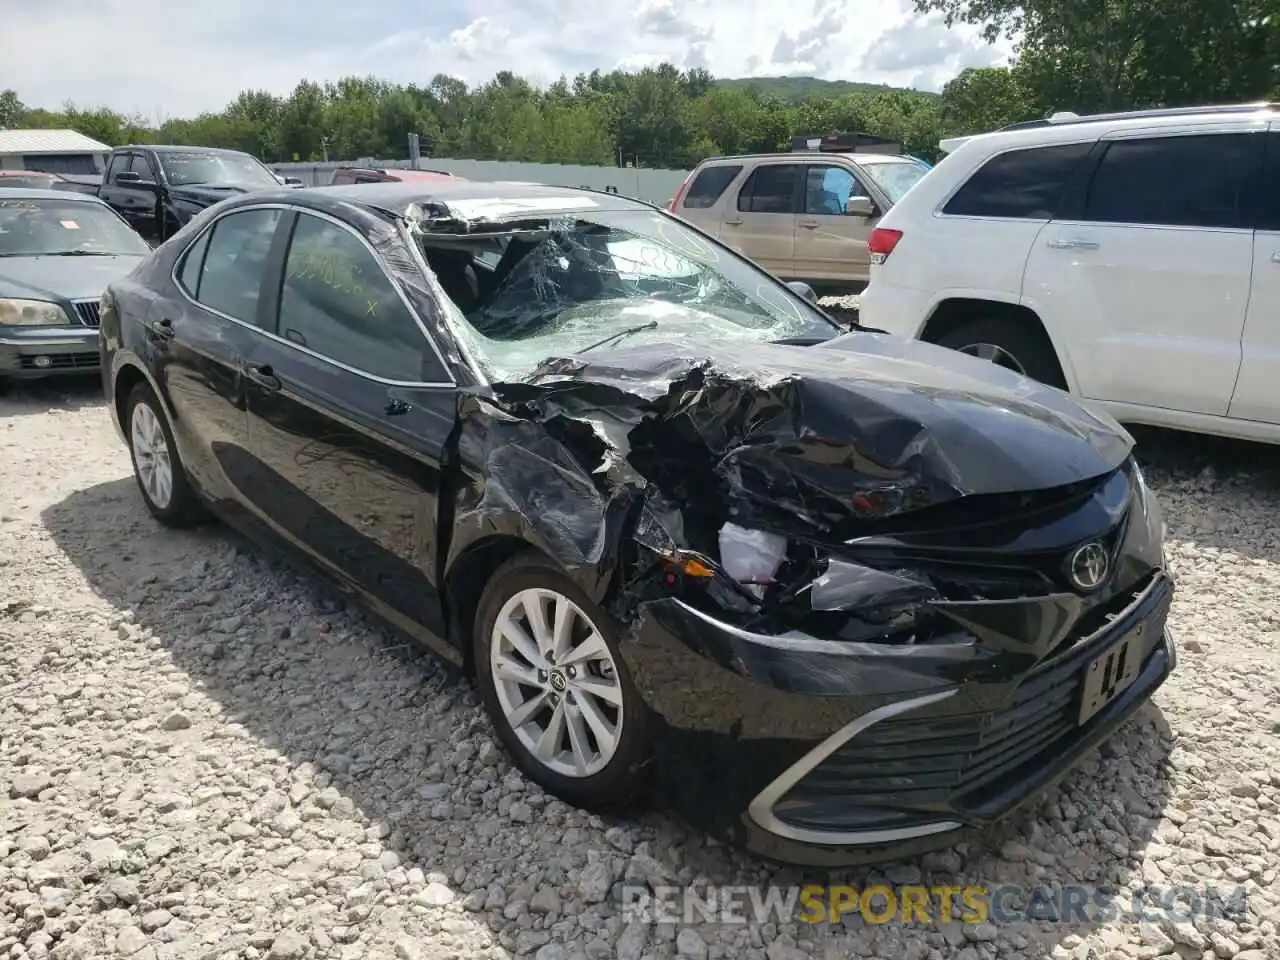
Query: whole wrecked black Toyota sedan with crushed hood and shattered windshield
x,y
831,596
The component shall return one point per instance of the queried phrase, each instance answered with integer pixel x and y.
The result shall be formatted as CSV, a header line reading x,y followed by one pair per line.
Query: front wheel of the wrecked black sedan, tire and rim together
x,y
556,688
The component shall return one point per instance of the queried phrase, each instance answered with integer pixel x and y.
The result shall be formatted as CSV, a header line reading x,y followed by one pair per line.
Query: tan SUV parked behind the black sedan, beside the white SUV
x,y
806,216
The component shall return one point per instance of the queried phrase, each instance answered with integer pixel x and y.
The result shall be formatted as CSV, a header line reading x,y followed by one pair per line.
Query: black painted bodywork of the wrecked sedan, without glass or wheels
x,y
410,497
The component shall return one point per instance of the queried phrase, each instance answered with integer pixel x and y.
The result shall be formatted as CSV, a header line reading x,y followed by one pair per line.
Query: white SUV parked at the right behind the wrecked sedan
x,y
1131,259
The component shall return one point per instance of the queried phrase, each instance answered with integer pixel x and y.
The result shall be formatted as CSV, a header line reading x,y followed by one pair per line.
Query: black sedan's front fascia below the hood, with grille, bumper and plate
x,y
893,693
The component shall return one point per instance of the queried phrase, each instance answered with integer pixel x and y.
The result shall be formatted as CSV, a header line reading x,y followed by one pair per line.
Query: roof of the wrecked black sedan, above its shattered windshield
x,y
397,195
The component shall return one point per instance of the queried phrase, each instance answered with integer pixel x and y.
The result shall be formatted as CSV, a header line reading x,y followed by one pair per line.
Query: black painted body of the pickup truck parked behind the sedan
x,y
153,207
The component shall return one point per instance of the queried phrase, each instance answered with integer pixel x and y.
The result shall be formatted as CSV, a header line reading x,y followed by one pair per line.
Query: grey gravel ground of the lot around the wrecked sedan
x,y
204,755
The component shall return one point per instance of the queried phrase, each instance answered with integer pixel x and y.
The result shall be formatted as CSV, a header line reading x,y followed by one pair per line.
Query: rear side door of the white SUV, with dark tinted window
x,y
1146,272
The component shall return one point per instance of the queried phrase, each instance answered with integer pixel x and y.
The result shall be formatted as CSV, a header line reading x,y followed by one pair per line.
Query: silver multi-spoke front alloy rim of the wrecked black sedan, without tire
x,y
557,683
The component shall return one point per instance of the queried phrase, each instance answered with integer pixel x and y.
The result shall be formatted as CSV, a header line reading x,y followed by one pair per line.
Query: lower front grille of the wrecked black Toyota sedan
x,y
956,764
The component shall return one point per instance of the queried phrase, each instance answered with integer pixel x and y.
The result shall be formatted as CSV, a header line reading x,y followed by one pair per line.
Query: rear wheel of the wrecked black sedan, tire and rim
x,y
157,467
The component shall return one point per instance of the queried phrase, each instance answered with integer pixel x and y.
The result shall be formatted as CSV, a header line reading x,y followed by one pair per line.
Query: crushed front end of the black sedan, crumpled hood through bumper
x,y
865,618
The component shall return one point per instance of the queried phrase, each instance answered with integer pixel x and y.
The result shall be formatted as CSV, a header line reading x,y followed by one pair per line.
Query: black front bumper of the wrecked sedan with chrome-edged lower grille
x,y
762,751
